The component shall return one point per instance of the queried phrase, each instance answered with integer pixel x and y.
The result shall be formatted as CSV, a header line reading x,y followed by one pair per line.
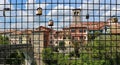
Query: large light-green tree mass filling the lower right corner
x,y
104,49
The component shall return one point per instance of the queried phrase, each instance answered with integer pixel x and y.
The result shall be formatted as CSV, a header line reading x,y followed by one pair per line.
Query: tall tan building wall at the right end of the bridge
x,y
38,43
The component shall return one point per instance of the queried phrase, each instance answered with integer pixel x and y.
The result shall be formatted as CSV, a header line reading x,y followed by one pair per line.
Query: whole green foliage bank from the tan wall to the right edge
x,y
100,51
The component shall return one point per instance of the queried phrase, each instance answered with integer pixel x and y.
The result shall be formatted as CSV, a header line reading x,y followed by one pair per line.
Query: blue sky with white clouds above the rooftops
x,y
22,14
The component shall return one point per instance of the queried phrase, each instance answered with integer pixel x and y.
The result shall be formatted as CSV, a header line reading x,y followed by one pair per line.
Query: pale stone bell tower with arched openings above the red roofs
x,y
76,15
